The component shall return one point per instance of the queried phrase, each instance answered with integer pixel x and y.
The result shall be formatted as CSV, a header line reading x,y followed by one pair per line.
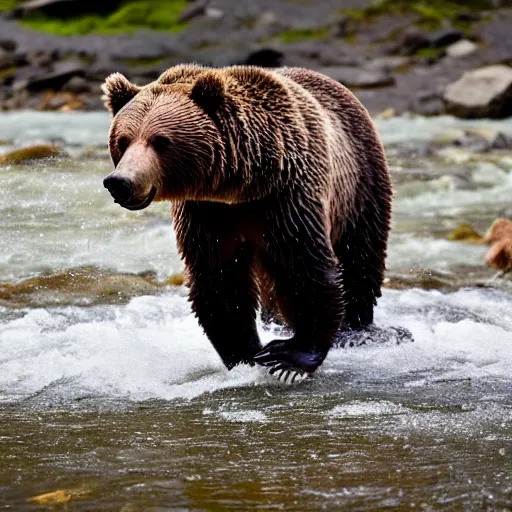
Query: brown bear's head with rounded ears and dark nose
x,y
163,140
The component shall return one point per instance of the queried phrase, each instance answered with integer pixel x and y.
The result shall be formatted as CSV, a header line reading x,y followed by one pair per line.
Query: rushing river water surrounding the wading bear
x,y
112,397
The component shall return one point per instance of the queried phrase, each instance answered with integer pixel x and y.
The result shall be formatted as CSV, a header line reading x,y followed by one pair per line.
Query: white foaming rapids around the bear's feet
x,y
153,347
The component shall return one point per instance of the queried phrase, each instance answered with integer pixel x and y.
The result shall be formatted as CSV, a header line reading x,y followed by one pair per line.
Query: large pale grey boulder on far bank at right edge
x,y
484,92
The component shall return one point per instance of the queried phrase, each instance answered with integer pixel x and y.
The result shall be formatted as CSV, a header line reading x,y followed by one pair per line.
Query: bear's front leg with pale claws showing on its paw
x,y
309,292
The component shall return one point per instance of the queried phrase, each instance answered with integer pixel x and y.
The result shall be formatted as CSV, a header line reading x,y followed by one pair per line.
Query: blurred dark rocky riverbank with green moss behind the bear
x,y
397,55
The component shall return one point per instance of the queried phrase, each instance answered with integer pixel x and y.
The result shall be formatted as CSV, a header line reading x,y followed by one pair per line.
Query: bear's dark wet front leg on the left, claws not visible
x,y
222,286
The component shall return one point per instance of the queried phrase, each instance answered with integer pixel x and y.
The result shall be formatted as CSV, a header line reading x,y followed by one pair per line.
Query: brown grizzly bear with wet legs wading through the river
x,y
281,198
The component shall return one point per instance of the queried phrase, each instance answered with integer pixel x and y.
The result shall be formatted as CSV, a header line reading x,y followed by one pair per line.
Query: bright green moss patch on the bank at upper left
x,y
131,16
